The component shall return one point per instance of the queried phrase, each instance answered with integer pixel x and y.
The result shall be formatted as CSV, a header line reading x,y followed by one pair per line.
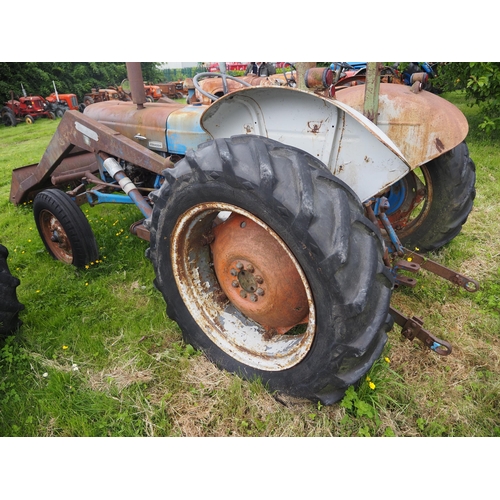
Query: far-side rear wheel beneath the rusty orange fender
x,y
447,184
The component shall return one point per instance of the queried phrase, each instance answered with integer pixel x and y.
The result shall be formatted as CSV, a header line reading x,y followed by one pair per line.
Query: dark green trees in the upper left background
x,y
69,77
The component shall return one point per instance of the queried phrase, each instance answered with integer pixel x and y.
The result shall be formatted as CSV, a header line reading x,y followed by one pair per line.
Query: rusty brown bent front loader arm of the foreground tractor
x,y
75,135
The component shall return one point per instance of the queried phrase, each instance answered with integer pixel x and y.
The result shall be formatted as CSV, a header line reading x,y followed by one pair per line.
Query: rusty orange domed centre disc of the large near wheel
x,y
257,275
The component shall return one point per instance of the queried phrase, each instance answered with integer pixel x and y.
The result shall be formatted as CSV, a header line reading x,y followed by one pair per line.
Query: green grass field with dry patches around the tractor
x,y
97,355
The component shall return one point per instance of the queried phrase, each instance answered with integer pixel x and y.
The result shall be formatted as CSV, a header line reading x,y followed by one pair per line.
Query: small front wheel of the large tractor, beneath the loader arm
x,y
64,229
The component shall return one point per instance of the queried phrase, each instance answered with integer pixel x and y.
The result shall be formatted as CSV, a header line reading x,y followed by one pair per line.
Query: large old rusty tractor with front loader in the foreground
x,y
280,221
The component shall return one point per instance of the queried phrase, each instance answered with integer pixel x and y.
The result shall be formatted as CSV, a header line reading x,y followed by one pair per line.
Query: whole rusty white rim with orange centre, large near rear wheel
x,y
243,286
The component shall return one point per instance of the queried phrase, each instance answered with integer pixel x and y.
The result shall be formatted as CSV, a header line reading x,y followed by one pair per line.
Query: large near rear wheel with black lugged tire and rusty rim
x,y
318,225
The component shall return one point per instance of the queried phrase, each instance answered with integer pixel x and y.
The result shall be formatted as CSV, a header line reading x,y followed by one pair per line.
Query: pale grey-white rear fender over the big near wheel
x,y
351,146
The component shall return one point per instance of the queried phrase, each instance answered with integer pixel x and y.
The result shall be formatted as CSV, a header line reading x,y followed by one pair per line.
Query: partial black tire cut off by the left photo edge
x,y
9,305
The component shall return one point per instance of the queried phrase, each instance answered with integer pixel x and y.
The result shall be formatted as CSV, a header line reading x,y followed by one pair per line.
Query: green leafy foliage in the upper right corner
x,y
481,83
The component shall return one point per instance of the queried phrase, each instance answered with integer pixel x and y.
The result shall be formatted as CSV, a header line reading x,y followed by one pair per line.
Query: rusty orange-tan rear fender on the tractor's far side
x,y
422,124
